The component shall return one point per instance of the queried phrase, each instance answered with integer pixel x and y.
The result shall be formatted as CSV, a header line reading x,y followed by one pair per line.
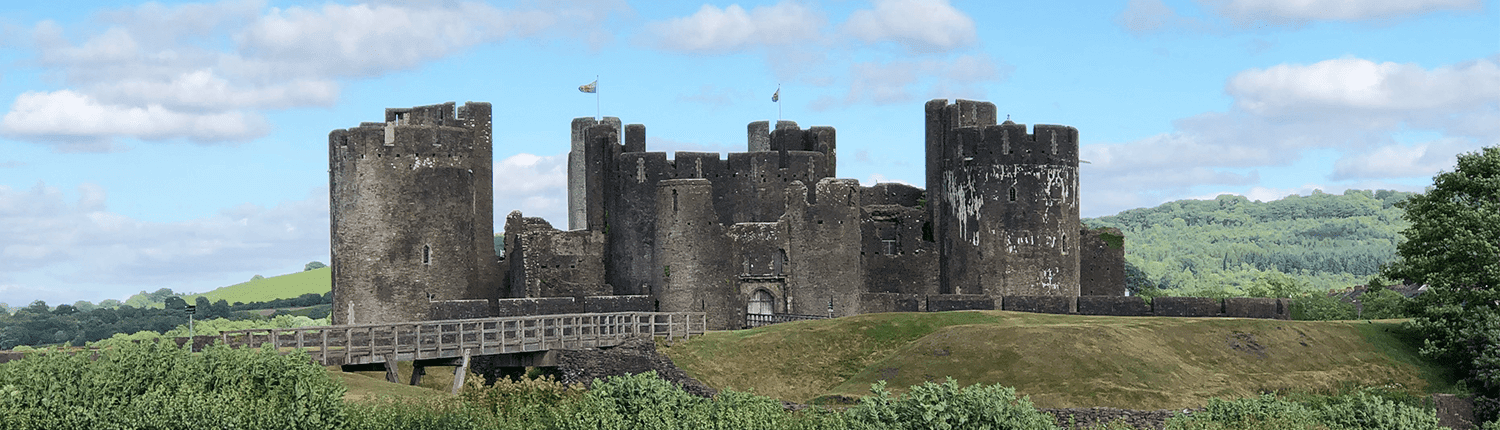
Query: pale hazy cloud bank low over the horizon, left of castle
x,y
52,243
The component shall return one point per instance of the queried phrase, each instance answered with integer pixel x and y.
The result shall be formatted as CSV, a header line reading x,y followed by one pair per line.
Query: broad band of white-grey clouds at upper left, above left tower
x,y
206,71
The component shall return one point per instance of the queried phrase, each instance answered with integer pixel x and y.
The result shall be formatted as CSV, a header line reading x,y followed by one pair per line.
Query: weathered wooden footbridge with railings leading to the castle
x,y
515,341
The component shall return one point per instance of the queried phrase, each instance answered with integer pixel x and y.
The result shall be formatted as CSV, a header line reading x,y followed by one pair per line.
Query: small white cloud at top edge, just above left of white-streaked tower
x,y
925,26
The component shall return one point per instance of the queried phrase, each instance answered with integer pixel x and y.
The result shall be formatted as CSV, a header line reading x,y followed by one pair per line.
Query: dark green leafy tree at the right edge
x,y
1454,248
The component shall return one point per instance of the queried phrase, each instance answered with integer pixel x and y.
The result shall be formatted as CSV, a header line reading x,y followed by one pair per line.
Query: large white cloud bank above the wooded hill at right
x,y
1349,107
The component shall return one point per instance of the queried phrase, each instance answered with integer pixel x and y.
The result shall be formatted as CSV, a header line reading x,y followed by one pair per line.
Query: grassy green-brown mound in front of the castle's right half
x,y
1060,360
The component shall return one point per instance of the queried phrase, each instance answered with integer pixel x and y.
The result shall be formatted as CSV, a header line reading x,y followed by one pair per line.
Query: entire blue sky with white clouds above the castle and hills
x,y
184,146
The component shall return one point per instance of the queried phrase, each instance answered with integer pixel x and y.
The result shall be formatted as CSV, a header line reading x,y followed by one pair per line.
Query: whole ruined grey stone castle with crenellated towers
x,y
758,236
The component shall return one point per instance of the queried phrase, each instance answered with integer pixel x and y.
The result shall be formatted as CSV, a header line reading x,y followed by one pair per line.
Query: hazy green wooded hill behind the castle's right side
x,y
1220,248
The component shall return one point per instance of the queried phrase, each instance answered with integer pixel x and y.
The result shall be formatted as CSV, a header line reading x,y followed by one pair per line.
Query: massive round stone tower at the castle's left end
x,y
406,214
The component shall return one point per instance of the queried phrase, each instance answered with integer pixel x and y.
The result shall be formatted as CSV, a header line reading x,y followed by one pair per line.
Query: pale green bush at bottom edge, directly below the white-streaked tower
x,y
949,407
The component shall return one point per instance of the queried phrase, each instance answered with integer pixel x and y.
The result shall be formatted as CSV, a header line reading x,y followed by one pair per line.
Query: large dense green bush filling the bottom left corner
x,y
160,386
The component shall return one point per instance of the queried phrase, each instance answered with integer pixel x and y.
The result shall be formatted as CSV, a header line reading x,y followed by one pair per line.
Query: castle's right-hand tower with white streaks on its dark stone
x,y
1007,203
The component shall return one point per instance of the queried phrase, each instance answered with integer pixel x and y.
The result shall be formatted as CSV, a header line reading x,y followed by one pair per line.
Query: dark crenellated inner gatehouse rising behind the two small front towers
x,y
746,187
